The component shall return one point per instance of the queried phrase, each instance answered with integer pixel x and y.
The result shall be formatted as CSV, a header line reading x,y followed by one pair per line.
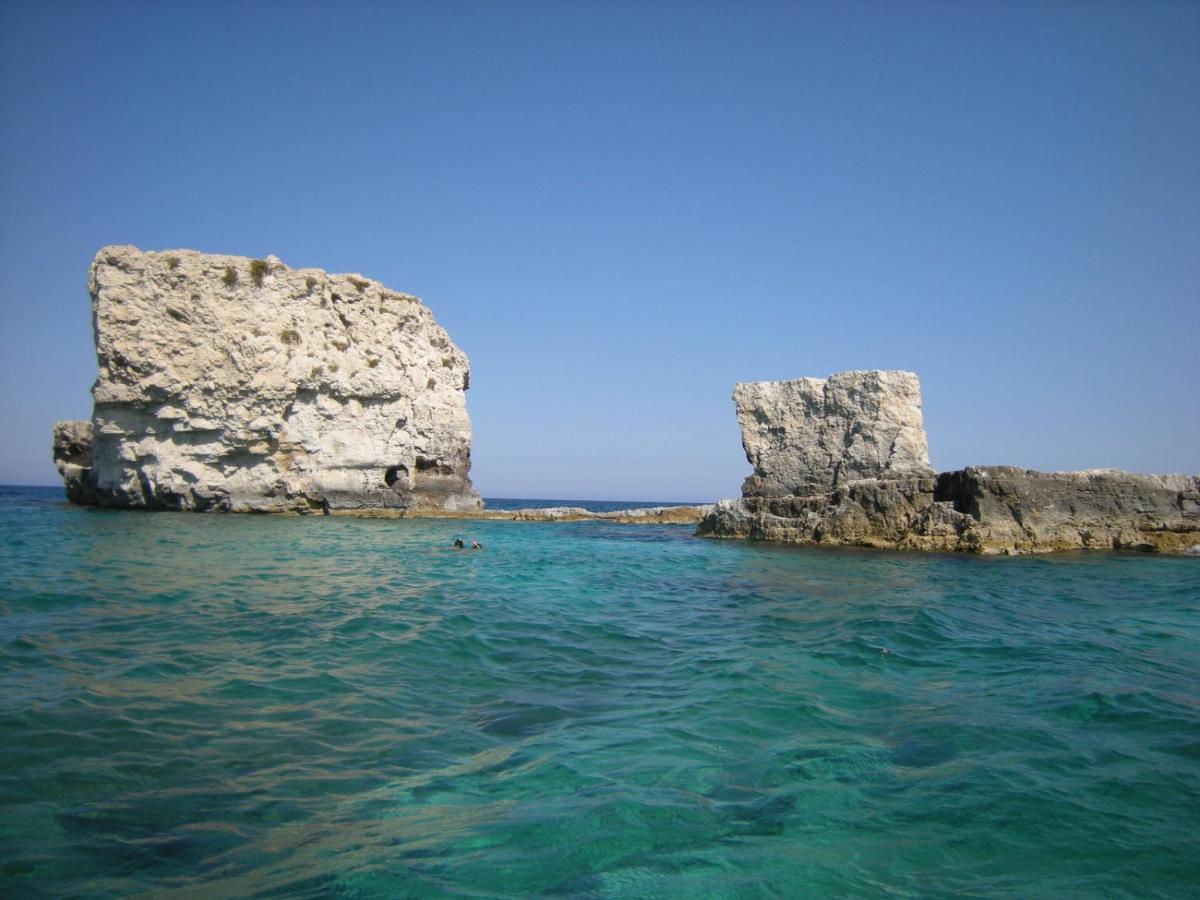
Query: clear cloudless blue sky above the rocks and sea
x,y
620,209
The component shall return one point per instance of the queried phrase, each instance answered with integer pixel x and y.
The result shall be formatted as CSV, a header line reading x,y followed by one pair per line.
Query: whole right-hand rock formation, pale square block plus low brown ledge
x,y
843,461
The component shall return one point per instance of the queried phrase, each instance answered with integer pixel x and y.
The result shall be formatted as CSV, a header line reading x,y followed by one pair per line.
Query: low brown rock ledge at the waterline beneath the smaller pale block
x,y
995,511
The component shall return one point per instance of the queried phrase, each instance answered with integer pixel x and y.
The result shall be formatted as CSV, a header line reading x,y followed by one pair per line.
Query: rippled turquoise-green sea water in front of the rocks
x,y
237,706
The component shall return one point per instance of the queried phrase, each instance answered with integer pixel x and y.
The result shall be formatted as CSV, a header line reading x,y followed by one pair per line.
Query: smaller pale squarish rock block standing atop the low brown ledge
x,y
815,435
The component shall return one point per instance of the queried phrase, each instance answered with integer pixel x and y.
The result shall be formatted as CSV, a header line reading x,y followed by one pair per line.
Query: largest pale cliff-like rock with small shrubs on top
x,y
242,385
